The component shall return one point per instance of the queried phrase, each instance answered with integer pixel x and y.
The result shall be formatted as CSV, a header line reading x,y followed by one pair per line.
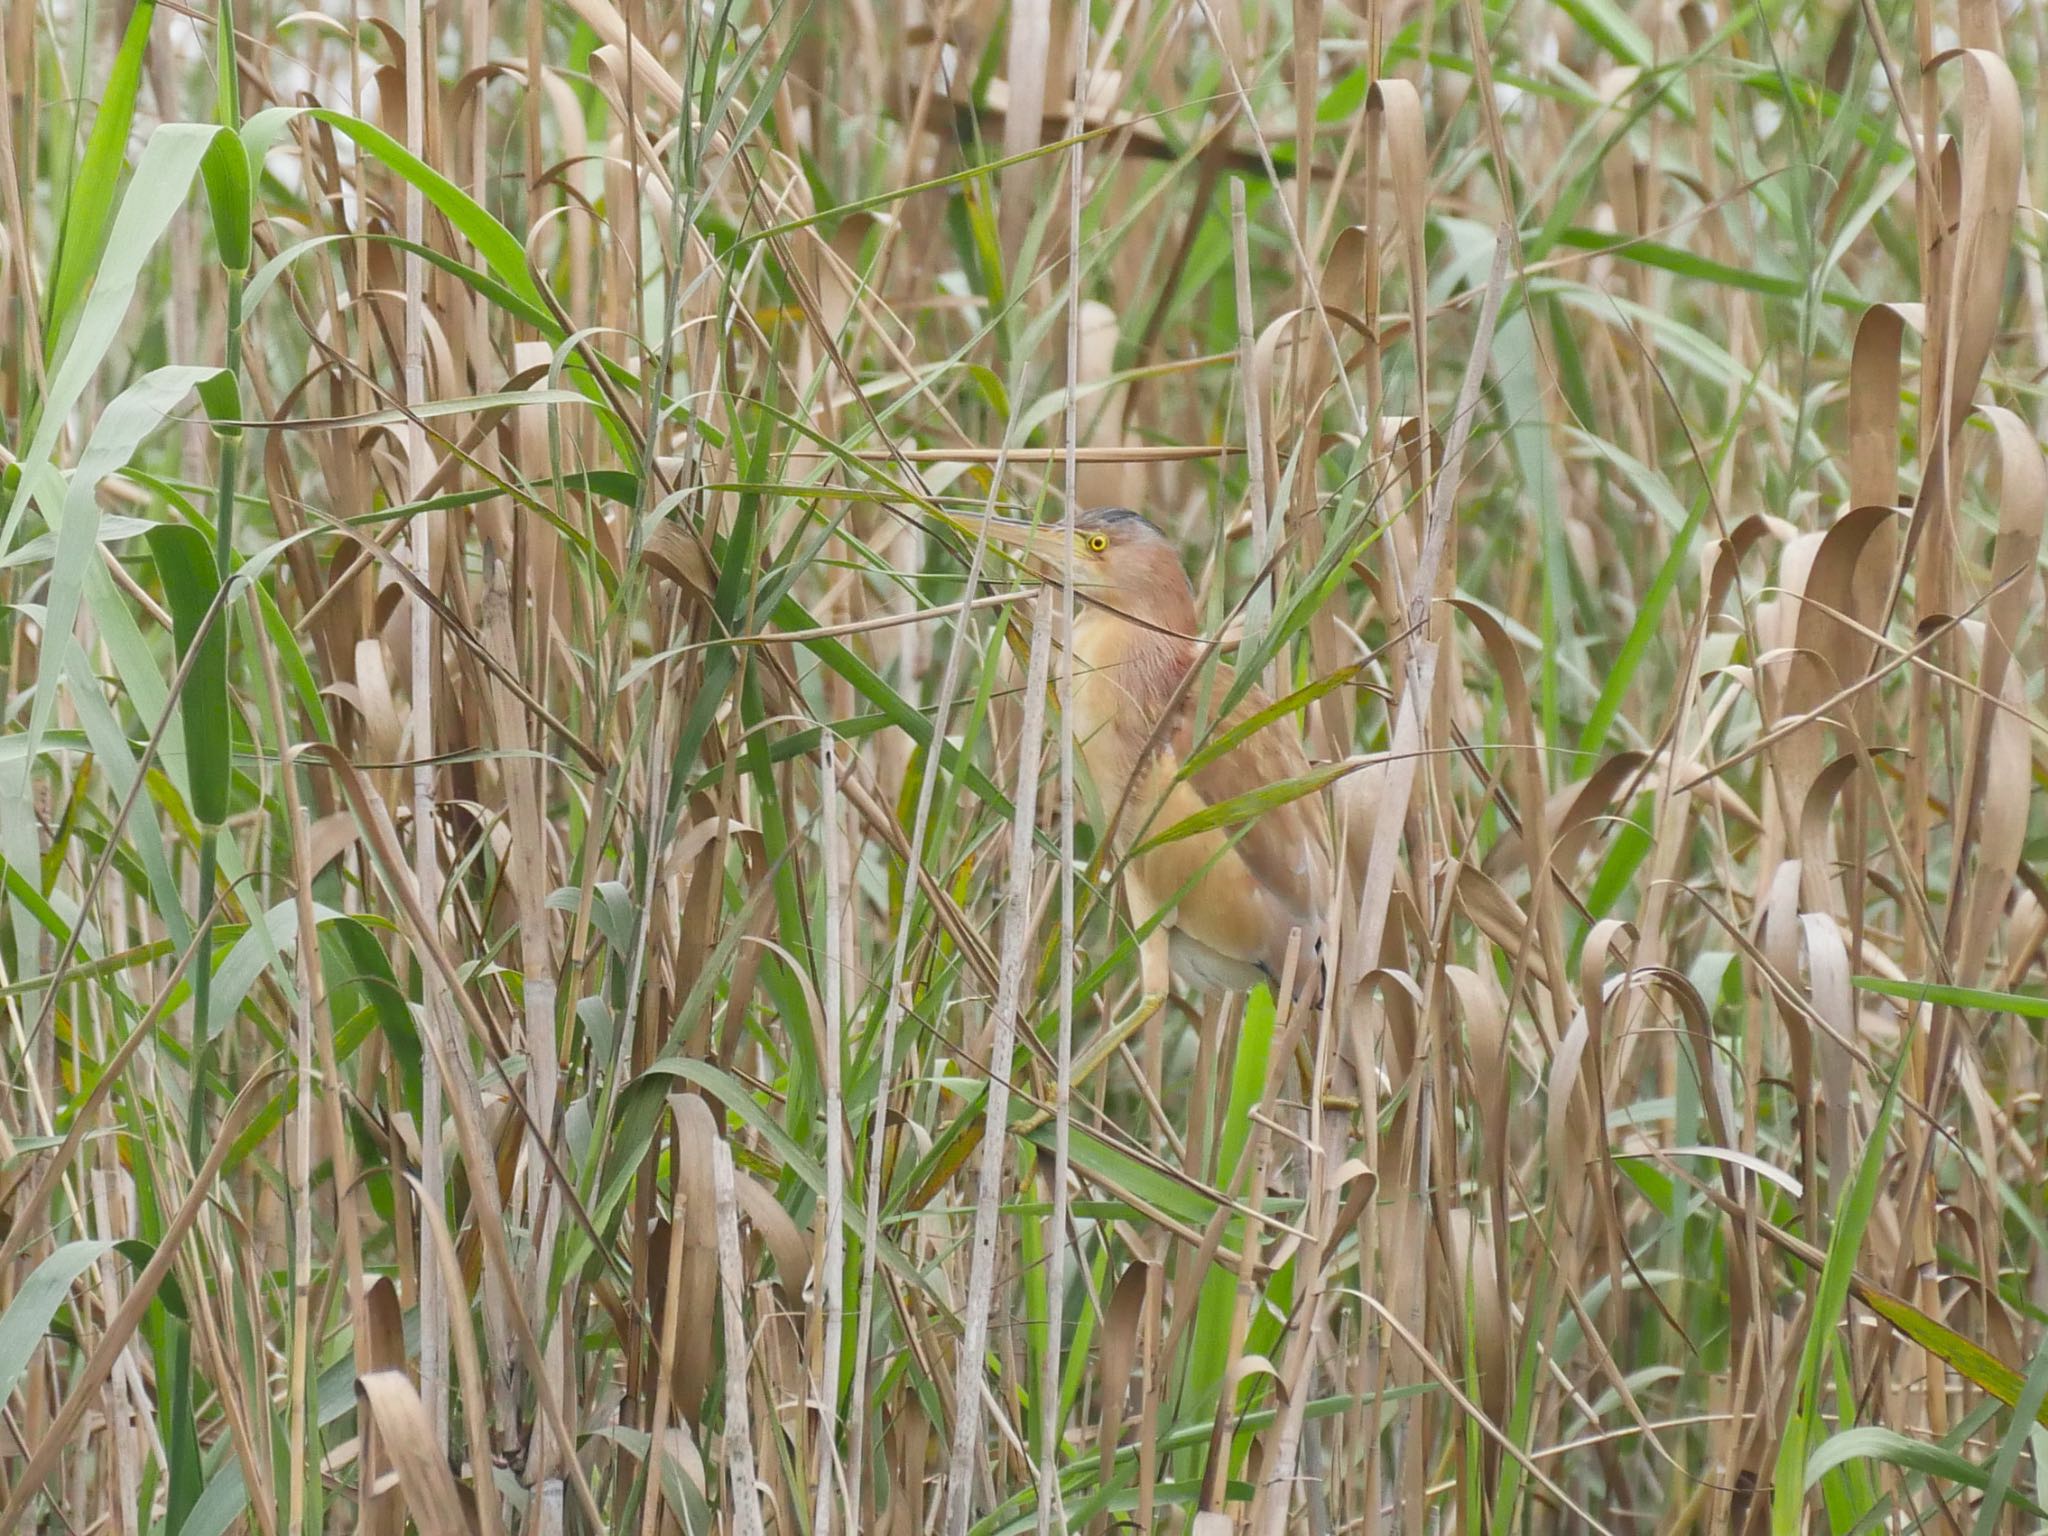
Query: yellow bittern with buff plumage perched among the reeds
x,y
1230,898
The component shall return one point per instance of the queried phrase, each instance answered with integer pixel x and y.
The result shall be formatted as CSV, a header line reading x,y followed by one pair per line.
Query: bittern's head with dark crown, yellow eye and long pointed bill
x,y
1123,566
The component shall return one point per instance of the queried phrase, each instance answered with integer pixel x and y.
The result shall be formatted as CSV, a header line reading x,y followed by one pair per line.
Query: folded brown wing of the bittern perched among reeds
x,y
1285,847
